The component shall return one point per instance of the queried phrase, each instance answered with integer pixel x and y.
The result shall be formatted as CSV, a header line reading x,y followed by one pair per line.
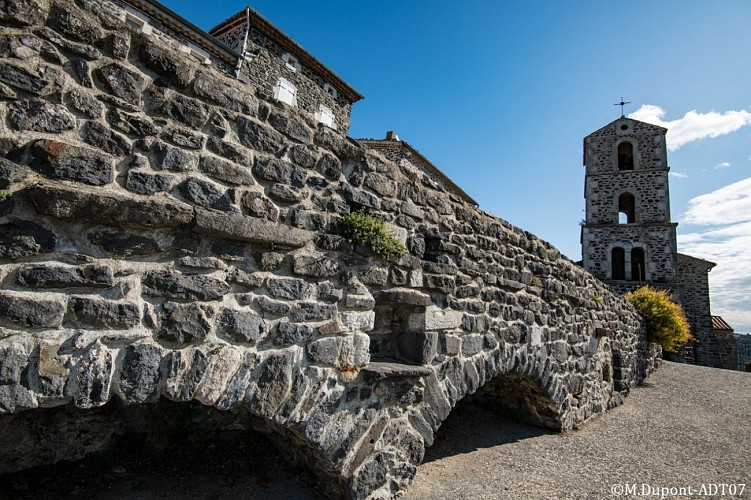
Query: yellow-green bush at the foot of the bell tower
x,y
666,322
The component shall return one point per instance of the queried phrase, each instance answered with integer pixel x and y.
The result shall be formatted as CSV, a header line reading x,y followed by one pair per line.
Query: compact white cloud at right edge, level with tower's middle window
x,y
727,205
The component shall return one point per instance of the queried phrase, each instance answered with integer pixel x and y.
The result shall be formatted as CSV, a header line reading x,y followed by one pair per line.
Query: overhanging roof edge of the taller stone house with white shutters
x,y
283,40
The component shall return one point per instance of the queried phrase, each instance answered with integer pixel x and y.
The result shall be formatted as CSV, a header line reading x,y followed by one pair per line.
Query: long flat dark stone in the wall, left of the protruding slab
x,y
108,209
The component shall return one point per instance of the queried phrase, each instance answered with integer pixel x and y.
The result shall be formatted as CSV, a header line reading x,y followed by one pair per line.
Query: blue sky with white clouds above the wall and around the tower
x,y
499,95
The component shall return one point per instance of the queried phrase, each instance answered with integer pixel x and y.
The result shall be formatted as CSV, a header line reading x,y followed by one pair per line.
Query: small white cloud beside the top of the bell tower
x,y
693,126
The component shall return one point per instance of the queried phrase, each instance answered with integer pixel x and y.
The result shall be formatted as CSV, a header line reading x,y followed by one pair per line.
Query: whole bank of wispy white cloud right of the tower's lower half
x,y
724,237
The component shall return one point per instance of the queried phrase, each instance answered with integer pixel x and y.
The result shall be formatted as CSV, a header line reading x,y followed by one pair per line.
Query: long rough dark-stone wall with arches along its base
x,y
166,231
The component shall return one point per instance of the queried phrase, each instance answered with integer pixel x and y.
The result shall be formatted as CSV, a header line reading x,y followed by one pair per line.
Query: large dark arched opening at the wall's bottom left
x,y
156,448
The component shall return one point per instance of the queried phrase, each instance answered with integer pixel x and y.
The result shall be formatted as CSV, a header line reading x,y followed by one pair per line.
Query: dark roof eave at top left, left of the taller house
x,y
181,26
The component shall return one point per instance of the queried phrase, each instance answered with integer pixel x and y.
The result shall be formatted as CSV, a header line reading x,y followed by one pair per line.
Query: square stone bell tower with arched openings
x,y
627,237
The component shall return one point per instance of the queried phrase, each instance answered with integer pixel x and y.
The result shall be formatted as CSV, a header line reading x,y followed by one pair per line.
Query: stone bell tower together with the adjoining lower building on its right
x,y
628,238
